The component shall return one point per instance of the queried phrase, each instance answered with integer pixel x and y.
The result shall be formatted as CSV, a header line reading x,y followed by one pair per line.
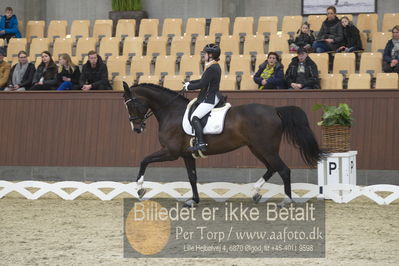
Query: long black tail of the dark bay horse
x,y
297,132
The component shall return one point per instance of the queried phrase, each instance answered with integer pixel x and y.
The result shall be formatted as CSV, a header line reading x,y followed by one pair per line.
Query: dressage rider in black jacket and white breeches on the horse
x,y
209,95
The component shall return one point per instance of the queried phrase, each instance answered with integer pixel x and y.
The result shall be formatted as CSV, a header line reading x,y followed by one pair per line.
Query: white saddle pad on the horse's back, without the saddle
x,y
215,121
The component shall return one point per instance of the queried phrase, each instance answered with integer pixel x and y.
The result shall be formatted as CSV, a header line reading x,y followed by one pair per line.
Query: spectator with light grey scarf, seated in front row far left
x,y
21,75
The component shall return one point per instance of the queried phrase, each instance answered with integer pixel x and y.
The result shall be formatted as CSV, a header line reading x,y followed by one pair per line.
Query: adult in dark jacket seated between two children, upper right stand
x,y
330,36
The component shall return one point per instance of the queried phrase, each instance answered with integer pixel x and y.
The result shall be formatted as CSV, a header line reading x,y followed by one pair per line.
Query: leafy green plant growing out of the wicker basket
x,y
333,115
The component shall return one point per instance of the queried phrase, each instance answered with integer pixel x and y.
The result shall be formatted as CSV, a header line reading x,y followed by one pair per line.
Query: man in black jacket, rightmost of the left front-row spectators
x,y
94,74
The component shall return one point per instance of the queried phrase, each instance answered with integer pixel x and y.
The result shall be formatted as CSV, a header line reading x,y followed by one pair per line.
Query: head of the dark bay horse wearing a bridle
x,y
137,109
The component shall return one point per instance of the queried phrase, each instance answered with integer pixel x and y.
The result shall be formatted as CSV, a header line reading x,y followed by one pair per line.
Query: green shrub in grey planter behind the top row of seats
x,y
127,9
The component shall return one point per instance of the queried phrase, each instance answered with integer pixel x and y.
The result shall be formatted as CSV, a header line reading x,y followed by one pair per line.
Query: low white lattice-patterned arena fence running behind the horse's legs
x,y
229,190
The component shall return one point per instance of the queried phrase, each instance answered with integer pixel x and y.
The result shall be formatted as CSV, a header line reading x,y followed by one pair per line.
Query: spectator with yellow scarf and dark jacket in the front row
x,y
270,74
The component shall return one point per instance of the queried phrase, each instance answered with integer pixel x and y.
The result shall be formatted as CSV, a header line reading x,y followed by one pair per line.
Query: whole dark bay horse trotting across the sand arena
x,y
260,127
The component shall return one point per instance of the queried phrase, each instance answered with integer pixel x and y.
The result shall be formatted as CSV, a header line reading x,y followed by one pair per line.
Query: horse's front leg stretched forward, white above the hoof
x,y
159,156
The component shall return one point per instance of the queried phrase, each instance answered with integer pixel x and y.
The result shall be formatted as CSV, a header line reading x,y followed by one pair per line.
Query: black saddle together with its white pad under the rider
x,y
213,122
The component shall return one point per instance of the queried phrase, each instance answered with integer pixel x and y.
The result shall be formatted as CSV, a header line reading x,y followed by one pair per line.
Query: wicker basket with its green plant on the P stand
x,y
336,122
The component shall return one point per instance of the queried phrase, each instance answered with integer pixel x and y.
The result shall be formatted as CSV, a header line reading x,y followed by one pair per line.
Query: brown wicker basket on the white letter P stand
x,y
336,138
